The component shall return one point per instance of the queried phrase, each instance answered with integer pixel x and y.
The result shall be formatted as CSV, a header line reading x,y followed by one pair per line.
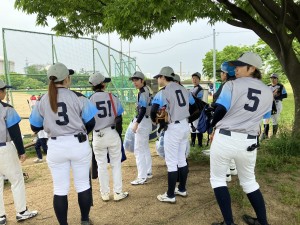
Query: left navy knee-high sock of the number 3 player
x,y
60,204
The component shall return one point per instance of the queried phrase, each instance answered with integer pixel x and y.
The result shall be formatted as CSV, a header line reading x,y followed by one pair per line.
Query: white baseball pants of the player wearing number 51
x,y
109,143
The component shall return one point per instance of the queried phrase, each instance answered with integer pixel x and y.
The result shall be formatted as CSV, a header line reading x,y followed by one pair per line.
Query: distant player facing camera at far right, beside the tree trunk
x,y
279,93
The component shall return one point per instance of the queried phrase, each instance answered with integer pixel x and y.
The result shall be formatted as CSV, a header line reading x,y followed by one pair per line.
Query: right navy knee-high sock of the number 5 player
x,y
257,201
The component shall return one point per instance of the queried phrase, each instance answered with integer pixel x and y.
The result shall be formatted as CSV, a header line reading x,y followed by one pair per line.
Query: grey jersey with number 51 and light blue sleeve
x,y
105,116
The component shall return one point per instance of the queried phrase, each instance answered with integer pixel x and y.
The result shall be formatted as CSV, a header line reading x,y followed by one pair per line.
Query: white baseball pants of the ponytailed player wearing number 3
x,y
67,153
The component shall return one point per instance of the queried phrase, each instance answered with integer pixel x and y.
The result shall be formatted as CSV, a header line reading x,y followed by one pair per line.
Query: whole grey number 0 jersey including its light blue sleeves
x,y
176,99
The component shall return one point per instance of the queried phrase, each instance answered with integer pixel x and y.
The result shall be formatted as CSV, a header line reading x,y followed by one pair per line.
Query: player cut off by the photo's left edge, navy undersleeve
x,y
9,159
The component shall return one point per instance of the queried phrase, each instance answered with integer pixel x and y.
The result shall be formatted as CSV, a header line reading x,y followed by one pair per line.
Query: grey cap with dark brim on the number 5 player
x,y
248,59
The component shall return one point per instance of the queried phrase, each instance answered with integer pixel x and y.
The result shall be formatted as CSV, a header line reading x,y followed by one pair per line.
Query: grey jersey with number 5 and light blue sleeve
x,y
247,100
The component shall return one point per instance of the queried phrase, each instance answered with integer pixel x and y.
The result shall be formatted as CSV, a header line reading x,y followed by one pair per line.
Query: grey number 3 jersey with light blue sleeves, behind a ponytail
x,y
74,109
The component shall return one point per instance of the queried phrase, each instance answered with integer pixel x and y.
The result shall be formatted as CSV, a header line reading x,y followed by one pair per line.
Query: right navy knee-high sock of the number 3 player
x,y
85,202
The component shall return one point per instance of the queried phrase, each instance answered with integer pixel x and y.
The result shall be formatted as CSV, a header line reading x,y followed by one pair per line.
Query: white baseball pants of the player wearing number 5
x,y
223,149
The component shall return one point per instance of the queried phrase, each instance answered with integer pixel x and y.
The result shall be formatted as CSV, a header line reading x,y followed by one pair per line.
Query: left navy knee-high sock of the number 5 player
x,y
224,201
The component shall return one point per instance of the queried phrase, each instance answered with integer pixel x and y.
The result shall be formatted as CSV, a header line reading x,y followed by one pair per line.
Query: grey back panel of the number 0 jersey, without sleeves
x,y
177,98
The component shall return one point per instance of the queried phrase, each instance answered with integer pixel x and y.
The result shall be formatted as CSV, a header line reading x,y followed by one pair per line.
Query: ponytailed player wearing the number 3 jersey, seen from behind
x,y
67,117
